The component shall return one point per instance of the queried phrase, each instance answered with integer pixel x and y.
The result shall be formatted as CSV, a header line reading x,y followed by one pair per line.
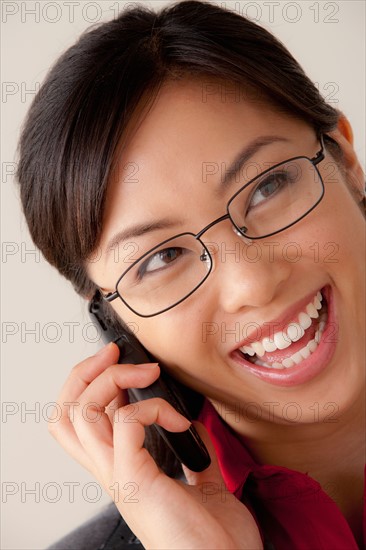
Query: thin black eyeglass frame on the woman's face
x,y
206,256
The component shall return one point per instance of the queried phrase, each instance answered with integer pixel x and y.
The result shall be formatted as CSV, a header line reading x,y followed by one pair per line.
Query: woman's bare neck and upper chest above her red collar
x,y
331,452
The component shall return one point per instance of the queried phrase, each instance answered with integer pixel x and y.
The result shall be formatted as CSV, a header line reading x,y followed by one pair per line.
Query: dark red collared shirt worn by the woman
x,y
291,509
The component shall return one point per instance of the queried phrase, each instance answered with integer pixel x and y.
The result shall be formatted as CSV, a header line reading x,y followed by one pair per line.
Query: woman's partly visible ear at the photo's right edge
x,y
343,135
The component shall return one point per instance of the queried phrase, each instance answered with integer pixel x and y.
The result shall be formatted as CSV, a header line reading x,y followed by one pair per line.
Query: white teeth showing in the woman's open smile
x,y
293,333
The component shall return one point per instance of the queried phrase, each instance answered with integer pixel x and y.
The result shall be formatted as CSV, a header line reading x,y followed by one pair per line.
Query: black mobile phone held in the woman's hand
x,y
187,446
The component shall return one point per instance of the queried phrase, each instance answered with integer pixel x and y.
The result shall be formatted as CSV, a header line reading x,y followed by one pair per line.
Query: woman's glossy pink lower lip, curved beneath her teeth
x,y
316,363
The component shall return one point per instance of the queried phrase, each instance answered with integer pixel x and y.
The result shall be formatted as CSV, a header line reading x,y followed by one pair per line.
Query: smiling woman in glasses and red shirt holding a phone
x,y
185,167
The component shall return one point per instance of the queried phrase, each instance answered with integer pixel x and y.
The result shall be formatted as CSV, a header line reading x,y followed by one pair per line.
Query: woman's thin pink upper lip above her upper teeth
x,y
269,328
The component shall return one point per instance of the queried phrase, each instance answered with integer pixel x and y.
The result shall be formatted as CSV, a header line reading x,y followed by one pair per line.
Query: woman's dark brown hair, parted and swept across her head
x,y
79,117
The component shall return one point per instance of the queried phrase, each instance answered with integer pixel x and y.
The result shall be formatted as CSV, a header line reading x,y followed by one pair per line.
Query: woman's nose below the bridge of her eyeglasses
x,y
247,274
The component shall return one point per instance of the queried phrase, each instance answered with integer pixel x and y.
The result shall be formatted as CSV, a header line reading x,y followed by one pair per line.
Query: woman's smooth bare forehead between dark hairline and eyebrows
x,y
191,124
